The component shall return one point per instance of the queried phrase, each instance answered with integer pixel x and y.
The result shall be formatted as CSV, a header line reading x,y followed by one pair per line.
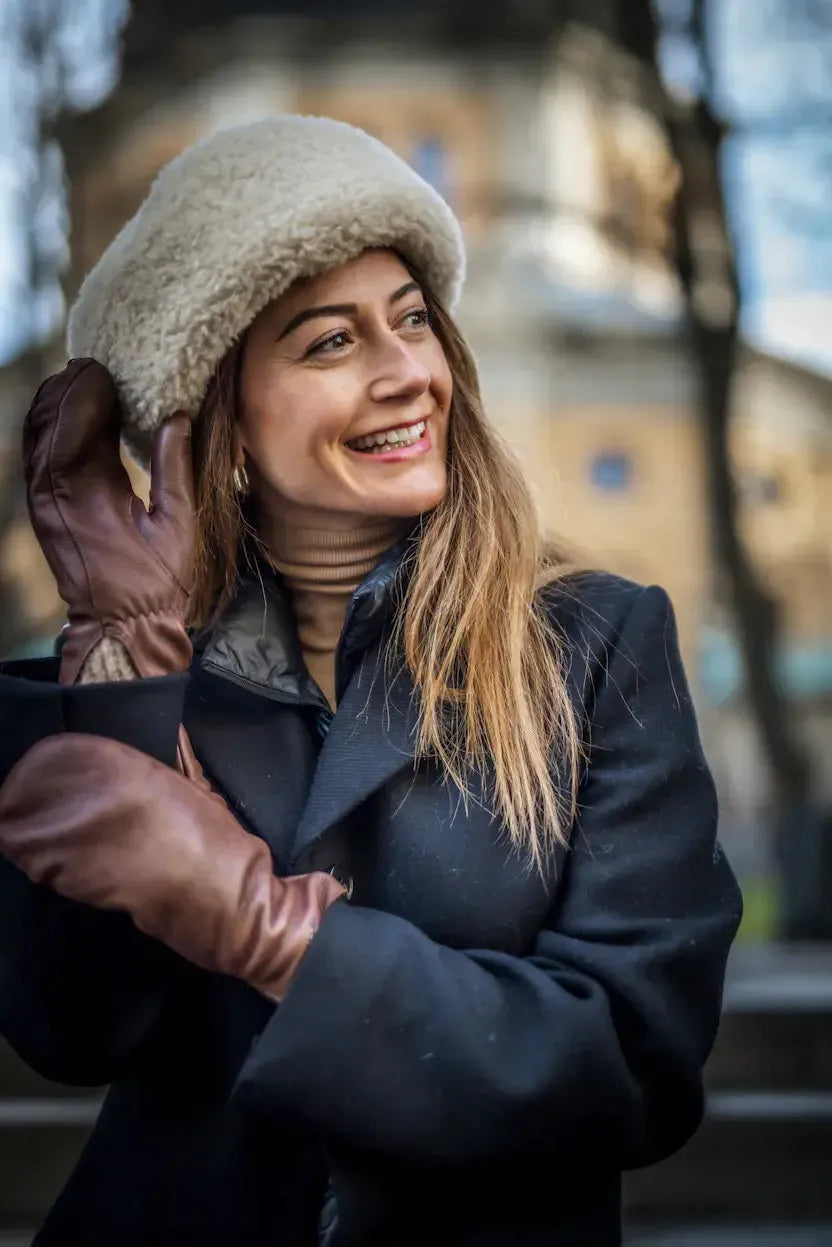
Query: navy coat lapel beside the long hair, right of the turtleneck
x,y
372,739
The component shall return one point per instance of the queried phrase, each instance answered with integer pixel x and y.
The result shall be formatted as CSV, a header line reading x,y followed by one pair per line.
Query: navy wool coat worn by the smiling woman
x,y
470,1054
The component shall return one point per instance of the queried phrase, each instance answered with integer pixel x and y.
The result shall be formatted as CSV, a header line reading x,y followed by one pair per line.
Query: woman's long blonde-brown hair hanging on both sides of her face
x,y
486,660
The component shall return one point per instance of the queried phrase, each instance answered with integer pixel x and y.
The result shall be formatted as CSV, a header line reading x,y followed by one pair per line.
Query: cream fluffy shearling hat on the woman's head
x,y
229,226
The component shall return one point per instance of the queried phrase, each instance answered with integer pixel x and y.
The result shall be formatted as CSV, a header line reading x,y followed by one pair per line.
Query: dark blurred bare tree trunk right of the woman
x,y
708,274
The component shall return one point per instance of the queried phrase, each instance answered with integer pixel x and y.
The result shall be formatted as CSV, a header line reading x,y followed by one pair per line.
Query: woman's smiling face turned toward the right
x,y
344,357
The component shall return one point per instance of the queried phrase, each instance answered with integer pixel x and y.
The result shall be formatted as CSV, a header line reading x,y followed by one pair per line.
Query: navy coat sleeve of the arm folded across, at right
x,y
591,1047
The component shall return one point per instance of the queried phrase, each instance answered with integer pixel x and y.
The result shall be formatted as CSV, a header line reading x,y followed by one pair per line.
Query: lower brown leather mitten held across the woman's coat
x,y
105,825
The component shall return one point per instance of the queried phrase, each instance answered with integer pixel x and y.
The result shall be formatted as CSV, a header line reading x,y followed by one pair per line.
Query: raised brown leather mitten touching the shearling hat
x,y
124,572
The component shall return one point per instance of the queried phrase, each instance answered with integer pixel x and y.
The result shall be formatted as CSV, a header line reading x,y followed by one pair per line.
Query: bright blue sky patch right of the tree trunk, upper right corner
x,y
773,83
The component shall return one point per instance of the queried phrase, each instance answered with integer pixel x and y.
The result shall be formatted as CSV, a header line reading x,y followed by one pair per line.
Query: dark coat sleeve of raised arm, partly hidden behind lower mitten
x,y
79,988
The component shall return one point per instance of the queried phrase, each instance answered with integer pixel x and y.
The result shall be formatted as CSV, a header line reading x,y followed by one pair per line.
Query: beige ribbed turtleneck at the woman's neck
x,y
322,569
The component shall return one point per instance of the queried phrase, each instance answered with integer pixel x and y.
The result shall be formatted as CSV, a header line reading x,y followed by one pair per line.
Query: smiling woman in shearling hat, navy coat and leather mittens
x,y
395,915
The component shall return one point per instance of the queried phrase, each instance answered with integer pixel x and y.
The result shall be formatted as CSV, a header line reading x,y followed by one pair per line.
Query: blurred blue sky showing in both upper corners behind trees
x,y
773,82
